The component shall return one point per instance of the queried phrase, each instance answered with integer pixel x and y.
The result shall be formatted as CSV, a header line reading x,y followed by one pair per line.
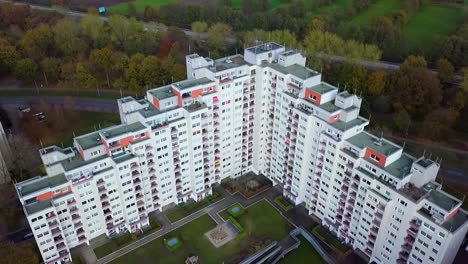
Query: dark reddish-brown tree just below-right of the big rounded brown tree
x,y
439,123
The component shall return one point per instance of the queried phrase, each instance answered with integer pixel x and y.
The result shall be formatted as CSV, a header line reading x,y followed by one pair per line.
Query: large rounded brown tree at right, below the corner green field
x,y
417,91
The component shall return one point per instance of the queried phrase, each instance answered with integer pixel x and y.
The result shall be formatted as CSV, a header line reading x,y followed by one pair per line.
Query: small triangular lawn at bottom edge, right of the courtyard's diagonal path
x,y
303,252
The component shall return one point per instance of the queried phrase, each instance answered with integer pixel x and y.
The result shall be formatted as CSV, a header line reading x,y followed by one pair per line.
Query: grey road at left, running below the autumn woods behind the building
x,y
92,105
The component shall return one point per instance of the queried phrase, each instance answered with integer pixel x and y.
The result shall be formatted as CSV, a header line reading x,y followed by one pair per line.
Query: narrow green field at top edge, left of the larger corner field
x,y
380,8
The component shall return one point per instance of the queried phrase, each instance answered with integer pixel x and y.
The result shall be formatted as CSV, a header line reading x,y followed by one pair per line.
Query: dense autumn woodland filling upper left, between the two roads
x,y
87,52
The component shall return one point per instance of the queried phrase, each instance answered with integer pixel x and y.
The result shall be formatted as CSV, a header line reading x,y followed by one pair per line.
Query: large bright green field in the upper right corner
x,y
431,24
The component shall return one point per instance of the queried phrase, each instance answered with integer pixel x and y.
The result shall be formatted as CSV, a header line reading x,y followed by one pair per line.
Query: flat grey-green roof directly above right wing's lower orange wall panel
x,y
366,140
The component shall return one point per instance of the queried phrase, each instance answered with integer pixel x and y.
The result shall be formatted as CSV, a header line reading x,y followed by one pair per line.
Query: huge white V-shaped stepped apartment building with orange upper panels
x,y
263,112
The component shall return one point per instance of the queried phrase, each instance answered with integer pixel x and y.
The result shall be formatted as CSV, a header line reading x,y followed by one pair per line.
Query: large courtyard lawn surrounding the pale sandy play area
x,y
260,220
